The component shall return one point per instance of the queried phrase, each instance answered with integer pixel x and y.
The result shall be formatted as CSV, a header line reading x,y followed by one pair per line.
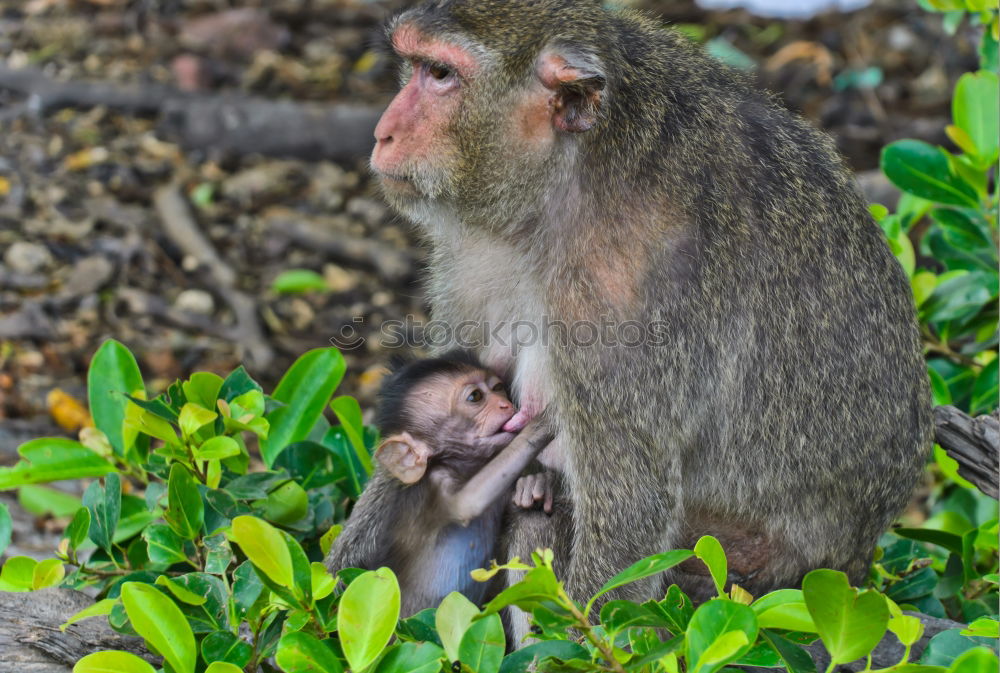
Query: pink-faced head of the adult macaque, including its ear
x,y
473,126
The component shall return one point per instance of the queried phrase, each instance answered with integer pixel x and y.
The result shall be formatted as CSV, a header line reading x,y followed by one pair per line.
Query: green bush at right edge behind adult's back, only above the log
x,y
944,231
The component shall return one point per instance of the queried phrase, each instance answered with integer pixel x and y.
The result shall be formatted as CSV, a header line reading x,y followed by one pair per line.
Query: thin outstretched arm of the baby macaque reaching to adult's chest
x,y
468,501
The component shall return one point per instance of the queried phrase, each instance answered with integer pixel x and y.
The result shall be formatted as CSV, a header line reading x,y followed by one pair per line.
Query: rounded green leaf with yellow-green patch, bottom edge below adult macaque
x,y
720,631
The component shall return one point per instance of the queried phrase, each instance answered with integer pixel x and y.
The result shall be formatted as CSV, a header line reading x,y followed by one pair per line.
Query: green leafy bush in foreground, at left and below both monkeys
x,y
219,568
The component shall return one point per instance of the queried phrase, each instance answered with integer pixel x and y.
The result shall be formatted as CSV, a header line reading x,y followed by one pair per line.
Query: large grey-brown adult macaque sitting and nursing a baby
x,y
570,164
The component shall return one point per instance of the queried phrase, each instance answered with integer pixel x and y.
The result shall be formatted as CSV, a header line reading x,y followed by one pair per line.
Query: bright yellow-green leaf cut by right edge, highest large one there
x,y
976,111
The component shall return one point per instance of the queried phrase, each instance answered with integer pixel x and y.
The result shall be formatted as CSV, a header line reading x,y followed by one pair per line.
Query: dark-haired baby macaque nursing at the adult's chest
x,y
447,466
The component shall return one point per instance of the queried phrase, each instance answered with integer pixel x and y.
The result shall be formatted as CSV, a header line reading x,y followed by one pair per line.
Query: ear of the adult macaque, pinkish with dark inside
x,y
578,81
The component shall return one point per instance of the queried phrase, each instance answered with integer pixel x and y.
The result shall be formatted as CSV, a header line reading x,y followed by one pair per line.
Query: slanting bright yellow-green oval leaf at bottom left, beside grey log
x,y
158,619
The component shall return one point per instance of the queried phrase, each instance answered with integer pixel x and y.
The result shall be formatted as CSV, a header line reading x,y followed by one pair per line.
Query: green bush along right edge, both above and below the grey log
x,y
944,233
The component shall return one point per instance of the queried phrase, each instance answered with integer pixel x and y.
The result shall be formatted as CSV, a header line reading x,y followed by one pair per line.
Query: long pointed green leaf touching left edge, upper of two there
x,y
51,459
